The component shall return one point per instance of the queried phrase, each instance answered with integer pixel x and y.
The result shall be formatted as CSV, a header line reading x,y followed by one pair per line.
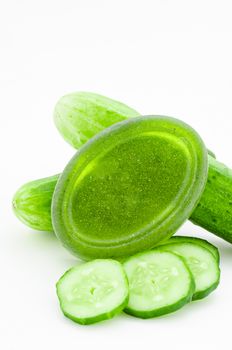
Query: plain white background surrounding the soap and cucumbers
x,y
158,56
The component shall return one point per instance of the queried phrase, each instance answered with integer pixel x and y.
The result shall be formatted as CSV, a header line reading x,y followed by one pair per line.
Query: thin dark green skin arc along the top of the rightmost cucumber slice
x,y
196,240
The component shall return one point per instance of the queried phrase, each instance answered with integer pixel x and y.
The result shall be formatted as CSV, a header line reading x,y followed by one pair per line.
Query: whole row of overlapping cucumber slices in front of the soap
x,y
149,284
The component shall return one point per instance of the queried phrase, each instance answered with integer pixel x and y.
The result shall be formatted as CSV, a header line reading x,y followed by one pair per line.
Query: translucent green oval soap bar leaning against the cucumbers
x,y
129,187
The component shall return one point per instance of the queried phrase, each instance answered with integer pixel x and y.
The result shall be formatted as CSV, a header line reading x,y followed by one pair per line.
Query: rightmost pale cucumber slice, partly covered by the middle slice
x,y
201,262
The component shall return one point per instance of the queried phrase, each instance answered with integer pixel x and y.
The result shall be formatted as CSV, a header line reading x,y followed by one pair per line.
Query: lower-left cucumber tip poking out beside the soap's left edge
x,y
32,203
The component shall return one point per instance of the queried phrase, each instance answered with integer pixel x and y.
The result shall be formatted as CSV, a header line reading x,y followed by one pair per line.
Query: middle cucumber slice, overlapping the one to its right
x,y
159,283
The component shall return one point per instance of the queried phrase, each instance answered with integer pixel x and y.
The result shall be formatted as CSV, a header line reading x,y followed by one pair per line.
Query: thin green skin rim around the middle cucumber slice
x,y
169,308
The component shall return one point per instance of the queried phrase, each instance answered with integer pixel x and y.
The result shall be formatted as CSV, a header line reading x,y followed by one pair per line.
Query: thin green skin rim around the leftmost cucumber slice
x,y
99,318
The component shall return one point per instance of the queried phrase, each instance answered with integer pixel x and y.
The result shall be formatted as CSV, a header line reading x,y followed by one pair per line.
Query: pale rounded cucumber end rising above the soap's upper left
x,y
81,115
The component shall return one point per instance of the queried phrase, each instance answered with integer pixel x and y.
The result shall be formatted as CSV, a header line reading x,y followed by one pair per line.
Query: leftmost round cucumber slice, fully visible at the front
x,y
94,291
